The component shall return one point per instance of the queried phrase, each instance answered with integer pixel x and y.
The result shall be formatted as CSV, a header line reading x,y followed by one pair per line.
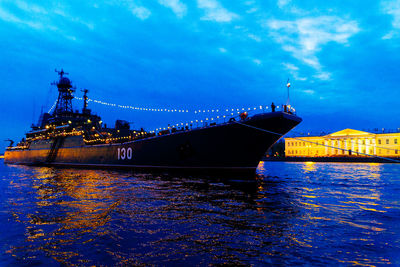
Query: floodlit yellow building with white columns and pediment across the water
x,y
347,142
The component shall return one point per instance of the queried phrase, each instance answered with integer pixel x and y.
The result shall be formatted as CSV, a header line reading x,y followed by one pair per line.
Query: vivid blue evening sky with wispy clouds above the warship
x,y
342,59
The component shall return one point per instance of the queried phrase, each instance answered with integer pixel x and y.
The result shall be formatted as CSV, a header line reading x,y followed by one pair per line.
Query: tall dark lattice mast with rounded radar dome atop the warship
x,y
65,90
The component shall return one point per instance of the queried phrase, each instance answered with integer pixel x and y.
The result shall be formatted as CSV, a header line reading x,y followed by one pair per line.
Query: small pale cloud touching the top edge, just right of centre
x,y
214,11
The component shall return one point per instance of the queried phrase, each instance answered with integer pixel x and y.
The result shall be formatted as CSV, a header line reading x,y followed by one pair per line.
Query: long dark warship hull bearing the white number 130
x,y
228,148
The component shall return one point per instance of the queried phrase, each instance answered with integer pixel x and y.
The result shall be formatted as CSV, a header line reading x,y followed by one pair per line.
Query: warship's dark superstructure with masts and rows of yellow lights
x,y
64,122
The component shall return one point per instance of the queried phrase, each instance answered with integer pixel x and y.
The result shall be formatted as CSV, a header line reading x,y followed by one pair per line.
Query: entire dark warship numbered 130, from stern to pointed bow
x,y
80,139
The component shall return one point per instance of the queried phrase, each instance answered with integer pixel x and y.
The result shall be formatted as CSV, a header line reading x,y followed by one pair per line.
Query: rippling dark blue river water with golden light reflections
x,y
294,213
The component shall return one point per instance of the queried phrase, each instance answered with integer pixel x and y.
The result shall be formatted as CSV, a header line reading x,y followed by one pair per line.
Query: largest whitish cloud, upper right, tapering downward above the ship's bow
x,y
304,37
